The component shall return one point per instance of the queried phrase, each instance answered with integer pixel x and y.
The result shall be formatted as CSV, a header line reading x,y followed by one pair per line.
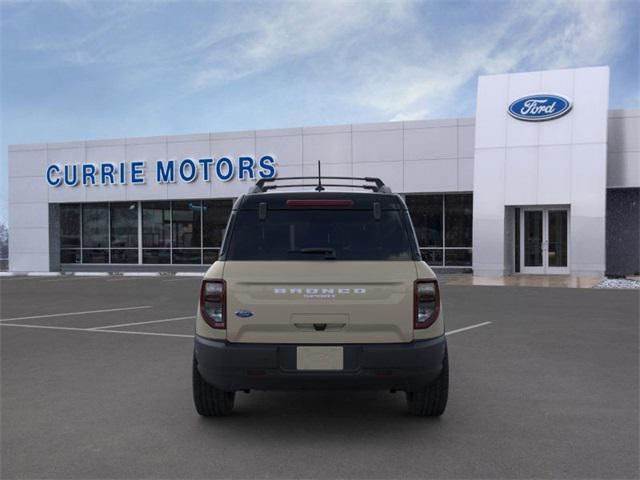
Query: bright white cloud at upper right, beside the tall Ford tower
x,y
525,36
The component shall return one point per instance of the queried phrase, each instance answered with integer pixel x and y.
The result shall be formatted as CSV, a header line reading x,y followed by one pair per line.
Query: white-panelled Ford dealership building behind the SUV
x,y
544,180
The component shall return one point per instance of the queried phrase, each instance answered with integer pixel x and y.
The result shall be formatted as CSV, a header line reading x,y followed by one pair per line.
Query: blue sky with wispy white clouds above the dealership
x,y
76,70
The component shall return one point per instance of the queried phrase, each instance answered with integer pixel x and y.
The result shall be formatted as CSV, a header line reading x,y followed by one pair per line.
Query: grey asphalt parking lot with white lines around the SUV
x,y
96,383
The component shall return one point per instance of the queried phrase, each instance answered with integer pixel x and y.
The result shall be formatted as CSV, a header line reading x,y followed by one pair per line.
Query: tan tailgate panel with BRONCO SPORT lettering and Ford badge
x,y
320,302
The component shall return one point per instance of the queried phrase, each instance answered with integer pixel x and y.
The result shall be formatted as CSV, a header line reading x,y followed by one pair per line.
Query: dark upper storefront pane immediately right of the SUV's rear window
x,y
426,214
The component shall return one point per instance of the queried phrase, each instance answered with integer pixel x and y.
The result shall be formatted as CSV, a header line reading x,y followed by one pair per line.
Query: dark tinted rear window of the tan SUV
x,y
312,234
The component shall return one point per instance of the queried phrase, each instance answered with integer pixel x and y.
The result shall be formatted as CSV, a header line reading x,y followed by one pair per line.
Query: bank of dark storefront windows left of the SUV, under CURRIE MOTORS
x,y
180,232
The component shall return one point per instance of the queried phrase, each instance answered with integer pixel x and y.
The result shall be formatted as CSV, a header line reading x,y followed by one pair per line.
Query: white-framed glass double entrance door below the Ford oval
x,y
544,240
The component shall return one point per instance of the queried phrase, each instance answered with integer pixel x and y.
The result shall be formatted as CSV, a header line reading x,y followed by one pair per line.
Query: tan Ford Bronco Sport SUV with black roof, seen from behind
x,y
320,290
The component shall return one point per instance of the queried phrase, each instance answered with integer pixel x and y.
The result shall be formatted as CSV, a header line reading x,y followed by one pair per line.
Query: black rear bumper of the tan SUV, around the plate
x,y
397,366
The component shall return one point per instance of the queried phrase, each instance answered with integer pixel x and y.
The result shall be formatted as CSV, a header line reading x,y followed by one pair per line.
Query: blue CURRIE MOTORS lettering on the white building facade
x,y
186,170
